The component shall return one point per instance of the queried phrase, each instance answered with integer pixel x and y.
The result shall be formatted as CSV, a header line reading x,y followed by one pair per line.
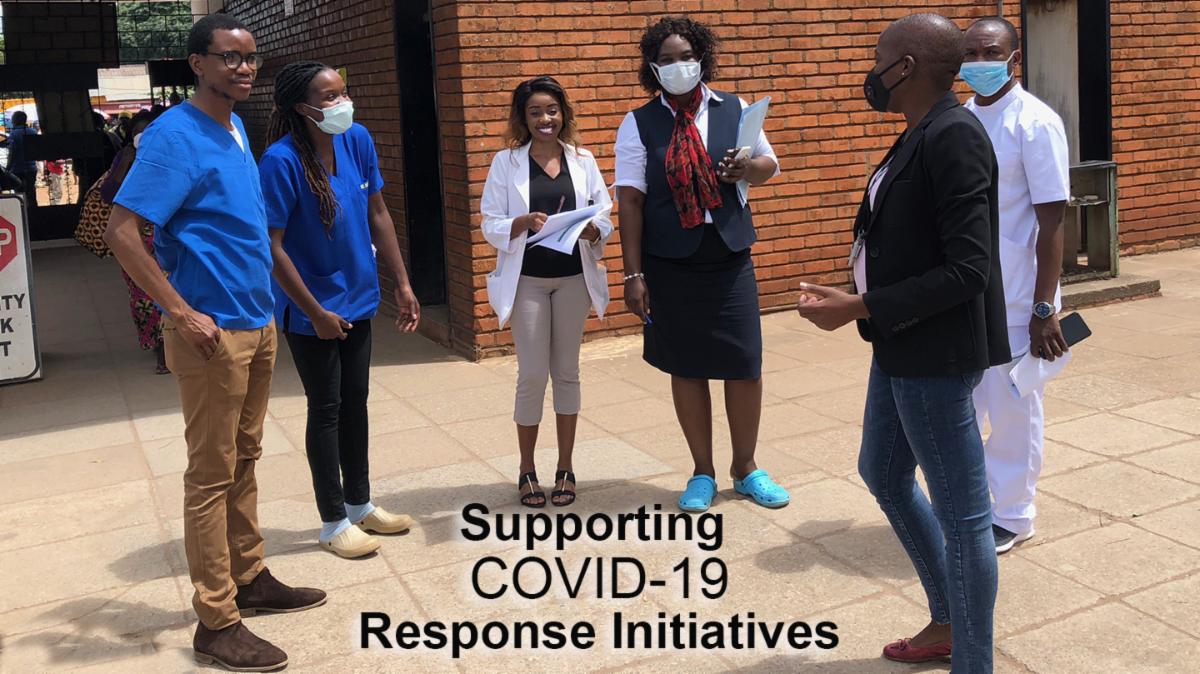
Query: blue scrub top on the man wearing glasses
x,y
201,190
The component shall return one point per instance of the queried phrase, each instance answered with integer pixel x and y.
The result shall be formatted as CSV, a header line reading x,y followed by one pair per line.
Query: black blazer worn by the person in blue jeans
x,y
934,285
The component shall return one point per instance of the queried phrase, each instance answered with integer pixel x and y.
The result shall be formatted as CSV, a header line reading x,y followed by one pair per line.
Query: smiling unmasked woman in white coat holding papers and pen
x,y
545,293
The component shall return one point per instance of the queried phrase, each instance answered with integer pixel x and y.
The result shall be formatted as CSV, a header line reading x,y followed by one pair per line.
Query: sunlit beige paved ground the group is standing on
x,y
92,497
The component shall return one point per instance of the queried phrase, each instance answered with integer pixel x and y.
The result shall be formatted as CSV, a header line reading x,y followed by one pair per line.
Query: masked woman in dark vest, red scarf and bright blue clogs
x,y
687,234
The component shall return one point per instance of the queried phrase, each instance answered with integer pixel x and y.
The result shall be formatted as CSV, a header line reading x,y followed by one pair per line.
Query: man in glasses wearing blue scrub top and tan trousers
x,y
196,180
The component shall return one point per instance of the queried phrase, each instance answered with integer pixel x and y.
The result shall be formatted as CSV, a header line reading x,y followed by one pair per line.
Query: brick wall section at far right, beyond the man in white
x,y
1156,123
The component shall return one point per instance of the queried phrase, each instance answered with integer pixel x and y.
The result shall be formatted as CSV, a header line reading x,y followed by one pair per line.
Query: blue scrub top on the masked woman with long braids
x,y
338,267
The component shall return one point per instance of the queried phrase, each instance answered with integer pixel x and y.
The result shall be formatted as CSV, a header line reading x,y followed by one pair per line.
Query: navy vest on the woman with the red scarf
x,y
663,237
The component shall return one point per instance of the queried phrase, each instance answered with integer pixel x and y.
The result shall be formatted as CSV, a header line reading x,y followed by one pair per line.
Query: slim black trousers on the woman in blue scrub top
x,y
335,375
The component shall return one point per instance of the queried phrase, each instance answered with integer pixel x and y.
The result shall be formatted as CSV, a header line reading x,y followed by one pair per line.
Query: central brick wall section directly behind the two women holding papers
x,y
809,56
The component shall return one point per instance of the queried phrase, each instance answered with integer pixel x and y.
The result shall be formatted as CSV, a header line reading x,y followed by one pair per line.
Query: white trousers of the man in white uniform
x,y
1015,447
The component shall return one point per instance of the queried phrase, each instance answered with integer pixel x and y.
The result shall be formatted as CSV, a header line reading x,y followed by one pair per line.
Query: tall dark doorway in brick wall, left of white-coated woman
x,y
423,160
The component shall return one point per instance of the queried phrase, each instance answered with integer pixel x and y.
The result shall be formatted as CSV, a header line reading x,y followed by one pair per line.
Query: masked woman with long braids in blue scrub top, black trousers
x,y
327,215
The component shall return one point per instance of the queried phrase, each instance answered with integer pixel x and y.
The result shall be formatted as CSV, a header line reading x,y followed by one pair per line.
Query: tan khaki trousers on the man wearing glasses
x,y
225,404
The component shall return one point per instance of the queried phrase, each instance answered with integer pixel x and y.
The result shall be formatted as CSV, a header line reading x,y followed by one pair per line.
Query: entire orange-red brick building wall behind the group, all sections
x,y
809,56
